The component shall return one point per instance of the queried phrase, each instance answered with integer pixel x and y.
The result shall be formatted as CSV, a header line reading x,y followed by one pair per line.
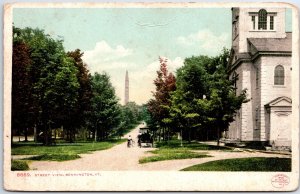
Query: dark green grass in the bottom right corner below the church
x,y
244,164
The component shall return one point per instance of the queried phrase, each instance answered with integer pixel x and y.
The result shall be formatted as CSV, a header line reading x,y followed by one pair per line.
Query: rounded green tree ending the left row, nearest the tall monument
x,y
106,111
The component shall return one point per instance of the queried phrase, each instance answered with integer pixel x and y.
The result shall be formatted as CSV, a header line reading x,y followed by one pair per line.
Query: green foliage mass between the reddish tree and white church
x,y
204,102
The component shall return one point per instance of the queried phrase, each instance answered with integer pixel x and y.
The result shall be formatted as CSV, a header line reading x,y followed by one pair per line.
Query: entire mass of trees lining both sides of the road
x,y
52,88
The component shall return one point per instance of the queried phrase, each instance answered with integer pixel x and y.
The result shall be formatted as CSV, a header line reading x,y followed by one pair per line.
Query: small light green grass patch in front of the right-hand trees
x,y
172,154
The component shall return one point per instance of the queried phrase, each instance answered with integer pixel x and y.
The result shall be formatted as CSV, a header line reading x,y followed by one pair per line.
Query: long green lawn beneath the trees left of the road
x,y
61,152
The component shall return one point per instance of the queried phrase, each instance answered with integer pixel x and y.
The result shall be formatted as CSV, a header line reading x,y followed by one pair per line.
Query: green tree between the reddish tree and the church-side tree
x,y
190,83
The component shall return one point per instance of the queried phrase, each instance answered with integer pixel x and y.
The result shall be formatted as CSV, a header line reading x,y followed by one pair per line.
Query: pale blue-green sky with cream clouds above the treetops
x,y
115,40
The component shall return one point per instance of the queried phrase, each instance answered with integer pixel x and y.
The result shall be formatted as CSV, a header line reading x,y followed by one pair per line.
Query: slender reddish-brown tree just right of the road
x,y
158,107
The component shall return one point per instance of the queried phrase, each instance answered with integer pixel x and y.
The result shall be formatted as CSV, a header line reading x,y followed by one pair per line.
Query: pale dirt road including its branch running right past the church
x,y
121,158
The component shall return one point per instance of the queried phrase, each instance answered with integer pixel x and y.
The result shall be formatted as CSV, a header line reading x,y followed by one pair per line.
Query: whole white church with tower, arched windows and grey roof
x,y
260,61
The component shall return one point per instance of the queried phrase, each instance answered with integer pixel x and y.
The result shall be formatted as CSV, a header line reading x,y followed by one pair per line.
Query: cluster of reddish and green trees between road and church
x,y
199,103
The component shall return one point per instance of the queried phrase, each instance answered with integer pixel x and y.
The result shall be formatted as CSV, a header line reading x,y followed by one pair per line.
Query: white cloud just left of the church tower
x,y
206,41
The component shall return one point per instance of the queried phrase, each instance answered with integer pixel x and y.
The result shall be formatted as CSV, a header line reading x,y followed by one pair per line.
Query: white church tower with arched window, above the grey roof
x,y
256,23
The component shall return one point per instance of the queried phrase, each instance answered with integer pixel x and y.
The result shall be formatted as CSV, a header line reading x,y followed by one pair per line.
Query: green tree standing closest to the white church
x,y
222,102
